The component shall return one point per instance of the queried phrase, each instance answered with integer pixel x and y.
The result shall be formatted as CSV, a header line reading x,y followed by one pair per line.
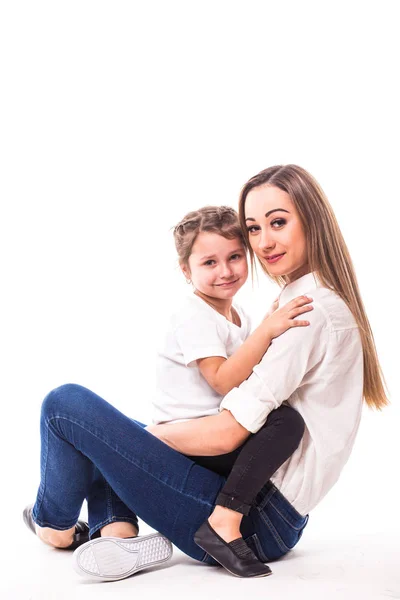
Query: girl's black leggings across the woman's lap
x,y
249,467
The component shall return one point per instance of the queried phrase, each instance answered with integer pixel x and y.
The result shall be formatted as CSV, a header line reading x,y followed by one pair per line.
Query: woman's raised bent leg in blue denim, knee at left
x,y
81,432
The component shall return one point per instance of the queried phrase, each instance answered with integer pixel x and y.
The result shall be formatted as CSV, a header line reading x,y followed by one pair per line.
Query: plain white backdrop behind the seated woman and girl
x,y
119,117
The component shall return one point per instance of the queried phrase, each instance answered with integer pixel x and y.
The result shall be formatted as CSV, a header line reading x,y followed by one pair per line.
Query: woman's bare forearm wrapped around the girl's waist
x,y
206,436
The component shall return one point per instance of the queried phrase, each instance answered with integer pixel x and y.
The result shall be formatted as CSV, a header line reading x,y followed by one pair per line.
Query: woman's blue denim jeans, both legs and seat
x,y
91,450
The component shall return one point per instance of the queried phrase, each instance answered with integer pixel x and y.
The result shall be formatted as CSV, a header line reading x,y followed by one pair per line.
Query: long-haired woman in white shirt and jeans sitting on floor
x,y
89,449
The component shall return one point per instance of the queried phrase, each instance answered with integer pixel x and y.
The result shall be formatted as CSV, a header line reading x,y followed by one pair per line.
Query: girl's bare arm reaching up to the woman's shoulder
x,y
223,374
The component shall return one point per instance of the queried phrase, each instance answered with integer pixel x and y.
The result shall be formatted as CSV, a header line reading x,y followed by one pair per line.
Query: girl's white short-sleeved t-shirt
x,y
195,331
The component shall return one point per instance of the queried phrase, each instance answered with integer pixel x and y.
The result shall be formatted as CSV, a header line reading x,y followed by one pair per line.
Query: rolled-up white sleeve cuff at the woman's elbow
x,y
250,410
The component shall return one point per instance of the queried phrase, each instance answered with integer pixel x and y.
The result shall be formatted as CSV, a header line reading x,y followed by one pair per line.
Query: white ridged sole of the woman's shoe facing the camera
x,y
112,558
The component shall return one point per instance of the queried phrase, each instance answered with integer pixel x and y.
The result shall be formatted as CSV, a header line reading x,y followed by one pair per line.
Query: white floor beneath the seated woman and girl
x,y
363,567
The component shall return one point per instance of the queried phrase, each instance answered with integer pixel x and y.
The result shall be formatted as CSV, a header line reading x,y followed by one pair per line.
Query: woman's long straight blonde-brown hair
x,y
328,256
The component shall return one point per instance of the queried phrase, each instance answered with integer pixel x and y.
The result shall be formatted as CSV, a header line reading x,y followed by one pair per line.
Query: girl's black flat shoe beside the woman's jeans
x,y
236,557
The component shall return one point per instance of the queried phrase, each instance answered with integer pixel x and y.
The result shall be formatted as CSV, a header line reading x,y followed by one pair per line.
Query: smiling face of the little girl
x,y
217,266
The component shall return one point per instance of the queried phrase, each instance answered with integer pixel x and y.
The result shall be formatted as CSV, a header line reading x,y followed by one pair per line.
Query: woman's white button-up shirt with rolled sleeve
x,y
318,370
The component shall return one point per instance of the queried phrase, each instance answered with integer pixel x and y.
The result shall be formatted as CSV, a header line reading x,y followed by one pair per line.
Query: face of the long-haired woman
x,y
276,233
